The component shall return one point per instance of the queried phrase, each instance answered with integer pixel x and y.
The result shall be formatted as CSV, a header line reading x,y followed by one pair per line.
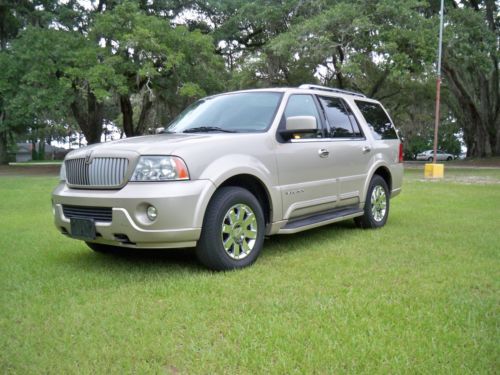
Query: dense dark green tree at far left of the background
x,y
57,74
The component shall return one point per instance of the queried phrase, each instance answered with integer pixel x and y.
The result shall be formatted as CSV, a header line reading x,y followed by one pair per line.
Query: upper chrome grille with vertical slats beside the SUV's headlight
x,y
101,172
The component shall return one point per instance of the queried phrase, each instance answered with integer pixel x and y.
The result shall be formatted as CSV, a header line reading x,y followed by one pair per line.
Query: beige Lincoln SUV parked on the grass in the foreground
x,y
233,168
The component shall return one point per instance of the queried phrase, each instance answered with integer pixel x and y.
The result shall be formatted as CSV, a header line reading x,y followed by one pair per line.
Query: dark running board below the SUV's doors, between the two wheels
x,y
317,220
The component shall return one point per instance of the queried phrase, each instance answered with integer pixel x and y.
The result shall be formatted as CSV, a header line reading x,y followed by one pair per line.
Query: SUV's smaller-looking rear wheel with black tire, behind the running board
x,y
376,210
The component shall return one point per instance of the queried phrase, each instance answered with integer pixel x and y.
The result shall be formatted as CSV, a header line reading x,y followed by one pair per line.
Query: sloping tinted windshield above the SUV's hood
x,y
233,113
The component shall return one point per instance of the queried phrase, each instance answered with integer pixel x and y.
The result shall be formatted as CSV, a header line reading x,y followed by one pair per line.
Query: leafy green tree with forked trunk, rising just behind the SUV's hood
x,y
148,56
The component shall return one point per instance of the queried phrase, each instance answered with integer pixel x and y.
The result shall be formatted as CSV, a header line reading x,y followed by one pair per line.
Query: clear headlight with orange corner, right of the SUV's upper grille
x,y
160,168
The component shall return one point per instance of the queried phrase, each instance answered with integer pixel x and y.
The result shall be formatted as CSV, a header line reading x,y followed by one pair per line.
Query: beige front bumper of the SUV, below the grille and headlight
x,y
180,205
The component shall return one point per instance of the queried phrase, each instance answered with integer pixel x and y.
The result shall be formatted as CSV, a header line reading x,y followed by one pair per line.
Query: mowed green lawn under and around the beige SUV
x,y
421,295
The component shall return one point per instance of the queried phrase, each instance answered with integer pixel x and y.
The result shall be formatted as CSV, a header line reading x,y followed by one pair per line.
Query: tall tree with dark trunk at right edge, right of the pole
x,y
471,68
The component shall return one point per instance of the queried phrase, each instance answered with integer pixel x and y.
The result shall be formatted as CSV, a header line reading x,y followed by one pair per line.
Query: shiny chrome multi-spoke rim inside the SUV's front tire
x,y
239,231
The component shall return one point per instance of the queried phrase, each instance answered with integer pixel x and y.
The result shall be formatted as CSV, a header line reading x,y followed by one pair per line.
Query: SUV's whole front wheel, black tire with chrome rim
x,y
233,230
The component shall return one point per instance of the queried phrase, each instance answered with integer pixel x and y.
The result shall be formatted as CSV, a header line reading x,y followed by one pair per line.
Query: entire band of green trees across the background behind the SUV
x,y
67,67
